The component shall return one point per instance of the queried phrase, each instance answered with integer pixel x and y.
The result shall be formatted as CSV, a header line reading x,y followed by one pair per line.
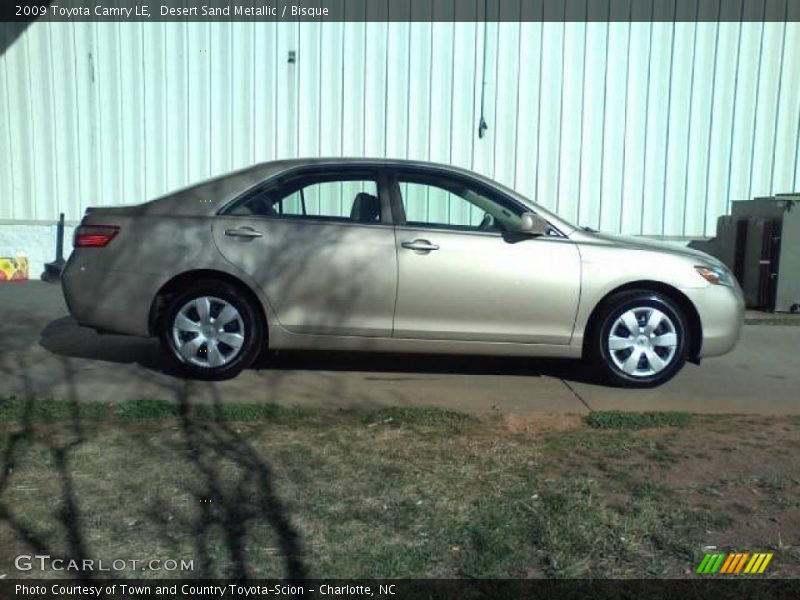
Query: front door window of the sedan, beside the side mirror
x,y
450,204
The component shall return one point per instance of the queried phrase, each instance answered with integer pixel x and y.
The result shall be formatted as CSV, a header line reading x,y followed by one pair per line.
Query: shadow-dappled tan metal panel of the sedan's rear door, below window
x,y
320,277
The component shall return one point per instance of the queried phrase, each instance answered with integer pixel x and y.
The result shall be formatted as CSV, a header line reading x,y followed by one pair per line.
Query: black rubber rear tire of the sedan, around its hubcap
x,y
250,324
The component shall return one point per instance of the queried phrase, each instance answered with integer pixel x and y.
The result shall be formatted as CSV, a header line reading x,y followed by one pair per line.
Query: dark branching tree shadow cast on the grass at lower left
x,y
219,464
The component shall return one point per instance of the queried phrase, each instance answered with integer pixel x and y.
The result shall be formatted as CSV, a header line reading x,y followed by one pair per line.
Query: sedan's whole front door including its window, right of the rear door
x,y
464,274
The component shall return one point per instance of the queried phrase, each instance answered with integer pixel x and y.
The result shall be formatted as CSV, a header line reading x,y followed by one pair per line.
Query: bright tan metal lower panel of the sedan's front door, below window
x,y
482,286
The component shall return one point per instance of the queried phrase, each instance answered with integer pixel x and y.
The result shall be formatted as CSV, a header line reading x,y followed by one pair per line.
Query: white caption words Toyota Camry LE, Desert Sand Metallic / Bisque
x,y
147,11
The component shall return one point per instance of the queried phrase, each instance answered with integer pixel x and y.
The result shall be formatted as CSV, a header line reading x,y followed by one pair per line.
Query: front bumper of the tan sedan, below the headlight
x,y
721,311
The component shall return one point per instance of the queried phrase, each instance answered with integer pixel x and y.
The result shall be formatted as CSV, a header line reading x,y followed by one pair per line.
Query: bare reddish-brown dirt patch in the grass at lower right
x,y
744,470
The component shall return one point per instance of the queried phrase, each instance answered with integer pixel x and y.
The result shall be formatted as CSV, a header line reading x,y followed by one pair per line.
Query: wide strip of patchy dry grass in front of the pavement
x,y
264,492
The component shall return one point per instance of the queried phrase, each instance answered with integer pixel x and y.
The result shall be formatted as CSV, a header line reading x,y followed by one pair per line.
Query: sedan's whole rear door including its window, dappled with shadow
x,y
321,246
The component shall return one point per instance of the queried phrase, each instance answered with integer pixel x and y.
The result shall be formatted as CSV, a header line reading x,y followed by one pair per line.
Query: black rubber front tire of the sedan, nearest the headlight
x,y
638,302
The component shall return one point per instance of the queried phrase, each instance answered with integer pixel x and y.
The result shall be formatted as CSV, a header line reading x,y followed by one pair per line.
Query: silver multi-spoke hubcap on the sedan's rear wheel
x,y
208,332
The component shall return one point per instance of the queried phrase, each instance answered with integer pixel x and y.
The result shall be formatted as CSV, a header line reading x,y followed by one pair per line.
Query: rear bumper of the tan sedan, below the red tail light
x,y
114,302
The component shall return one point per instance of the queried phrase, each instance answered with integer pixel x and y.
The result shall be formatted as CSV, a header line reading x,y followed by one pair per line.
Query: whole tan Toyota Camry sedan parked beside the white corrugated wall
x,y
385,255
